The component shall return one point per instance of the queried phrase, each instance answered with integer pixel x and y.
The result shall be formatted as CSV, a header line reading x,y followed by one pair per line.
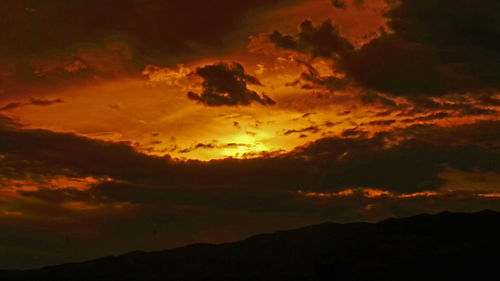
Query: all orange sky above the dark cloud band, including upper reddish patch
x,y
152,113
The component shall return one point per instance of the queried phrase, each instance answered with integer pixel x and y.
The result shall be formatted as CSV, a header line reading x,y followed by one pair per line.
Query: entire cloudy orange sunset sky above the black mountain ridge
x,y
145,125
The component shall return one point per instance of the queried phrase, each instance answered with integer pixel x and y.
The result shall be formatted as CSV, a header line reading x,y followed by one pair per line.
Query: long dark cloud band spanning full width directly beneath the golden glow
x,y
411,165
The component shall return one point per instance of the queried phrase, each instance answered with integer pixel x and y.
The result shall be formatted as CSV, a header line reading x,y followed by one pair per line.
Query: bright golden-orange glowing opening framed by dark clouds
x,y
154,115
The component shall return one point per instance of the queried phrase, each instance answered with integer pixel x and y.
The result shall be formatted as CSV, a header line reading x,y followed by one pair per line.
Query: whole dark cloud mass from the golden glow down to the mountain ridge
x,y
149,195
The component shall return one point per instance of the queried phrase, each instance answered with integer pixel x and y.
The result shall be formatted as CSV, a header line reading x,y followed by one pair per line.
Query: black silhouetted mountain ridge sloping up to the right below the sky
x,y
440,247
